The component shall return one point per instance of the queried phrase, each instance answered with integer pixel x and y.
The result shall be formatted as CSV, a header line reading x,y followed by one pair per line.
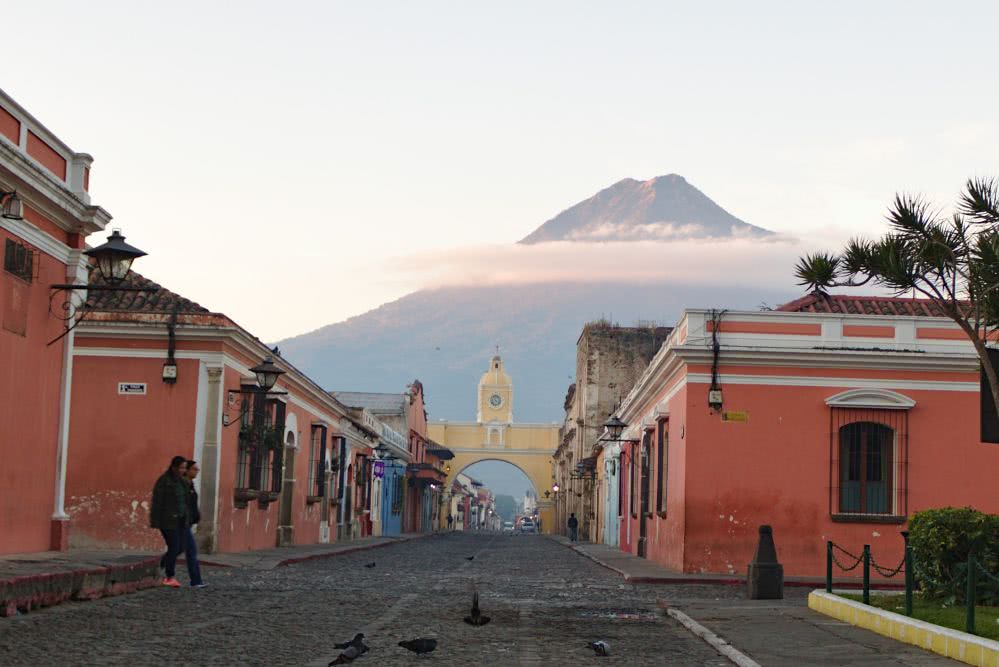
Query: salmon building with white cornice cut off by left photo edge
x,y
46,218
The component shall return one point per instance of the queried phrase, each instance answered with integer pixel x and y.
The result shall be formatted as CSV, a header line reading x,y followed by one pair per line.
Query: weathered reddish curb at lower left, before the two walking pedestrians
x,y
34,591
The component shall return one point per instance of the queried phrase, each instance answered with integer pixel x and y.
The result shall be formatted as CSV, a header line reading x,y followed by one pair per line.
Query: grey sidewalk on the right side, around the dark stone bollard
x,y
785,633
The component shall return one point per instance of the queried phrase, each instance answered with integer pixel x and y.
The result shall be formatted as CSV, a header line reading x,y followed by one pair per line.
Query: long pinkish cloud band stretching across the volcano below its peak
x,y
742,261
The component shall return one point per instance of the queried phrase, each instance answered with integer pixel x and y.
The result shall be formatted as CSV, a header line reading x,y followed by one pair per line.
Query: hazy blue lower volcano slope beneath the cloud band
x,y
446,336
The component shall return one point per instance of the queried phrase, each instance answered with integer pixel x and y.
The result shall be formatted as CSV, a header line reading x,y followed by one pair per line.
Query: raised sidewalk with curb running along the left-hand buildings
x,y
34,580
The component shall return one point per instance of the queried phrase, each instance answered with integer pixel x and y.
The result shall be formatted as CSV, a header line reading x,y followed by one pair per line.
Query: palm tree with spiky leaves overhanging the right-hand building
x,y
953,261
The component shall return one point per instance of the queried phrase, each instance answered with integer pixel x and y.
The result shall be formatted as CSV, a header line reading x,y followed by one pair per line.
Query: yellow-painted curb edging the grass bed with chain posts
x,y
953,644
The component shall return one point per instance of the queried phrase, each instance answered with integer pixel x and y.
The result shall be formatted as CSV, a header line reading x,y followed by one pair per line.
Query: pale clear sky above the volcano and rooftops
x,y
294,164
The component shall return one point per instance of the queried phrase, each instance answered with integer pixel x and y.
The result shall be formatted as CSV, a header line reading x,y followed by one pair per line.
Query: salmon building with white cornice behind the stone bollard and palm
x,y
831,418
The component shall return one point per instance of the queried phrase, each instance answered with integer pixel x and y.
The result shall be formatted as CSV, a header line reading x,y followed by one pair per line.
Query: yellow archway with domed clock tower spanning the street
x,y
494,436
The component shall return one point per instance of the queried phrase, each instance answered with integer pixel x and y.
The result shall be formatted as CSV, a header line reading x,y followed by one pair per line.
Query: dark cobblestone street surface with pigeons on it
x,y
546,603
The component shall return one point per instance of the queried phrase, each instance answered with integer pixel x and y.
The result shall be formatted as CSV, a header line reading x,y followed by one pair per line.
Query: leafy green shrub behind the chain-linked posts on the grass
x,y
941,540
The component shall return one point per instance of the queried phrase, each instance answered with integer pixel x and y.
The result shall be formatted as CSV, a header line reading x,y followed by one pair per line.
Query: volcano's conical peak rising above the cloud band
x,y
662,208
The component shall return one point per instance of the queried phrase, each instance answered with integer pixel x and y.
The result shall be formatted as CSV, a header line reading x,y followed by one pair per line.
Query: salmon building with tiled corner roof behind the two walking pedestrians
x,y
157,375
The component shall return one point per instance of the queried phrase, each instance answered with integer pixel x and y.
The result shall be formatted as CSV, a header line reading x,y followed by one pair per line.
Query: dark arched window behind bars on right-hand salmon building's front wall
x,y
867,463
